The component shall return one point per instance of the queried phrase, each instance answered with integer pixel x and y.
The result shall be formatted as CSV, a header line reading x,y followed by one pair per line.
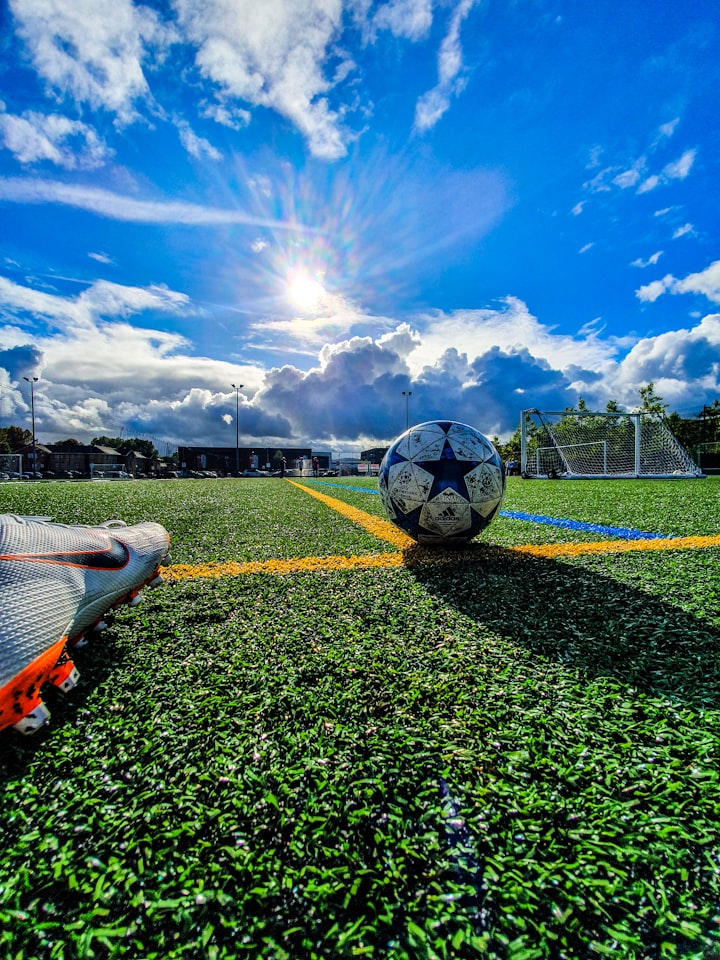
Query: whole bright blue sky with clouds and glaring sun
x,y
495,205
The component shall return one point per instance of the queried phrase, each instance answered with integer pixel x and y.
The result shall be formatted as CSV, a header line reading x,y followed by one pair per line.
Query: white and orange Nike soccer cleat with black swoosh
x,y
56,583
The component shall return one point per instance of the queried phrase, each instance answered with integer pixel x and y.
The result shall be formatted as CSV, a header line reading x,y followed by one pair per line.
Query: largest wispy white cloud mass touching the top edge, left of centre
x,y
280,54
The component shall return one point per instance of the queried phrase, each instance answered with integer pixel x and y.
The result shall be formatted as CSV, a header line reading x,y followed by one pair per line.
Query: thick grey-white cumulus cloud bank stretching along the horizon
x,y
100,373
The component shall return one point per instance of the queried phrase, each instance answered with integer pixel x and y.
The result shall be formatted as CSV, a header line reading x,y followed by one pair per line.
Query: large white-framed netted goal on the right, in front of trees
x,y
586,445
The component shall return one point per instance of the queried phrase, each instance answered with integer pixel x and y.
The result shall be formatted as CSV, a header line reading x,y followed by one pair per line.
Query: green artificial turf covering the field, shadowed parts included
x,y
509,758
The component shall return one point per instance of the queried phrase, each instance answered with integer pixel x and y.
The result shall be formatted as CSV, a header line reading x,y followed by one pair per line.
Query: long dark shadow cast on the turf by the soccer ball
x,y
579,617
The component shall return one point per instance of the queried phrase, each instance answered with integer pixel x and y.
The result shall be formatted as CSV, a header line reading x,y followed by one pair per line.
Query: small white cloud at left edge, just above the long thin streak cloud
x,y
34,137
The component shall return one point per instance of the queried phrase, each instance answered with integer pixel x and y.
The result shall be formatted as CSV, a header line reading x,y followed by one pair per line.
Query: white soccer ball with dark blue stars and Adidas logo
x,y
441,482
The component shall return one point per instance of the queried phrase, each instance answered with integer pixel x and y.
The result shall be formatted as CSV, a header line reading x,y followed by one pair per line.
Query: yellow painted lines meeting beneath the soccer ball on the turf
x,y
412,554
